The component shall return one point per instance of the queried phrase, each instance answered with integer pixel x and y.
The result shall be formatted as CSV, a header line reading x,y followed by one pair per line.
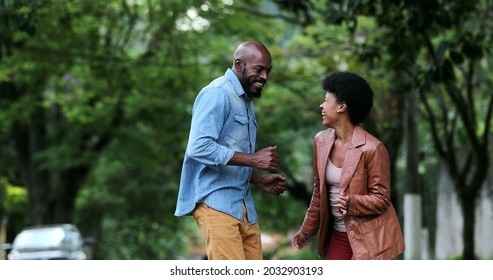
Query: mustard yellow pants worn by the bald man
x,y
227,238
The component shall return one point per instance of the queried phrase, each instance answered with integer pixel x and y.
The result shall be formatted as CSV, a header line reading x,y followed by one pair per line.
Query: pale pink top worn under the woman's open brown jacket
x,y
333,179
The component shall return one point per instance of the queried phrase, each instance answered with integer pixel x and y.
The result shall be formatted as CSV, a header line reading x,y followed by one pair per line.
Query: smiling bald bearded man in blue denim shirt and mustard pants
x,y
220,159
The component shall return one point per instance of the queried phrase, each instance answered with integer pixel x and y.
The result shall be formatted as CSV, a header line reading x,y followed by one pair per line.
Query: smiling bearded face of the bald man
x,y
254,75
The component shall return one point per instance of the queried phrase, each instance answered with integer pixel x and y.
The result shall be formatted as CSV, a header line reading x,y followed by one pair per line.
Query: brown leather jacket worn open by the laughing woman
x,y
372,225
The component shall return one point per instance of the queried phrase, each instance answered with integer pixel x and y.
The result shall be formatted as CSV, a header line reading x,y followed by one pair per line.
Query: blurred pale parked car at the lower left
x,y
49,242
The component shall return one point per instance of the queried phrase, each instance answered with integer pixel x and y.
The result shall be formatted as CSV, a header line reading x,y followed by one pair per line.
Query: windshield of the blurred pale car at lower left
x,y
39,238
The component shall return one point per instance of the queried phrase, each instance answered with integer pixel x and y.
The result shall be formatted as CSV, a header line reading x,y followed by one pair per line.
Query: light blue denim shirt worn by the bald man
x,y
223,121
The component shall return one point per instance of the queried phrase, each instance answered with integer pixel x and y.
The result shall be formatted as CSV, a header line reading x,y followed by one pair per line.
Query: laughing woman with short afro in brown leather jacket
x,y
351,196
